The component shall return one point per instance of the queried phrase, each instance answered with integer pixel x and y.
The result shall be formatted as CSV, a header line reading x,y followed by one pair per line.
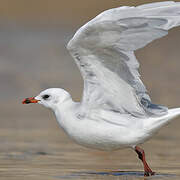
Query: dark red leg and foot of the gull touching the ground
x,y
141,155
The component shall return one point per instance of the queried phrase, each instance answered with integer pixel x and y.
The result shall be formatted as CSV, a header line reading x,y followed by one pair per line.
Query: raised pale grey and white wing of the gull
x,y
104,51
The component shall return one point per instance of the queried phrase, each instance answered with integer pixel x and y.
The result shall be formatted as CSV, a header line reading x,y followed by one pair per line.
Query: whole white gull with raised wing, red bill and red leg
x,y
116,110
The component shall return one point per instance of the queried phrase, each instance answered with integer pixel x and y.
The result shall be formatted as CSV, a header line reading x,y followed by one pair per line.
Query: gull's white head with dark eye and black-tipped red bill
x,y
49,98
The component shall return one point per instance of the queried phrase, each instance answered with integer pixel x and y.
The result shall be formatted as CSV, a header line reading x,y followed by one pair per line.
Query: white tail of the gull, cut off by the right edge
x,y
155,123
